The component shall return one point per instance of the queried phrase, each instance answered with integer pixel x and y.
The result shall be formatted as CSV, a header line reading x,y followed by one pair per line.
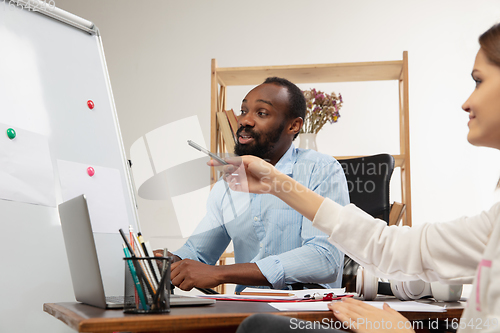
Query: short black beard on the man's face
x,y
263,143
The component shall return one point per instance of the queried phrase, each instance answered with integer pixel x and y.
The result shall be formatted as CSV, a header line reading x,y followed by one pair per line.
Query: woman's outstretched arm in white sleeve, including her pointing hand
x,y
448,252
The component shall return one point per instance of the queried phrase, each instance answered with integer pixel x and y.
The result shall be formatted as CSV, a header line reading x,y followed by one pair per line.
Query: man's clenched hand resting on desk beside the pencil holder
x,y
187,274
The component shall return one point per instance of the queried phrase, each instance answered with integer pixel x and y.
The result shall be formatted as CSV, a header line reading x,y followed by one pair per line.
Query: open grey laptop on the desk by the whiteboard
x,y
84,264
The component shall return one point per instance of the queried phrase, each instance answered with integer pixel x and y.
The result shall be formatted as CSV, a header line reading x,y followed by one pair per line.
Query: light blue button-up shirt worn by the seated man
x,y
266,231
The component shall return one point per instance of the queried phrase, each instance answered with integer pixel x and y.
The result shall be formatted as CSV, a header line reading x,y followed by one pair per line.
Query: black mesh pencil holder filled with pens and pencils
x,y
147,285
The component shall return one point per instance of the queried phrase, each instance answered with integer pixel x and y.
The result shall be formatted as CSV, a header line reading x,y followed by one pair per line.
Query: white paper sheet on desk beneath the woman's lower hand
x,y
323,306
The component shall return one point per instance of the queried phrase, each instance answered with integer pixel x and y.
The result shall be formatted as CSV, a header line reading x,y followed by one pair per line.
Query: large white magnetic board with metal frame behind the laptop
x,y
49,70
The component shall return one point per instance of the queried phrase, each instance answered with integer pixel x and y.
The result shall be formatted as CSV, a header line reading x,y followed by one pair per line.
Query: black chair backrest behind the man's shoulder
x,y
368,183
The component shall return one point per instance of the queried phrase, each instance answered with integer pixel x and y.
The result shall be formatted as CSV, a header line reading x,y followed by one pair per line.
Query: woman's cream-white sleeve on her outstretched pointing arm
x,y
448,252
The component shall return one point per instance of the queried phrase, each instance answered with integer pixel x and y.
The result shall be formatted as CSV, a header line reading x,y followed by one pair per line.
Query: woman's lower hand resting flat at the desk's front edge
x,y
365,318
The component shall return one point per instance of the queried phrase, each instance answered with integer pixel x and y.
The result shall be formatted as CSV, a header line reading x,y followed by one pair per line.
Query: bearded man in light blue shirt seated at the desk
x,y
273,244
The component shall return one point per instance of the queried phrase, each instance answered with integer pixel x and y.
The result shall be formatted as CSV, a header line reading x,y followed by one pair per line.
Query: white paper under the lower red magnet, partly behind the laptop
x,y
104,194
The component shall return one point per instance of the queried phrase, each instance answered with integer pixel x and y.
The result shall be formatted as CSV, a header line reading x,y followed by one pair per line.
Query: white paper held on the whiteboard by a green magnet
x,y
26,173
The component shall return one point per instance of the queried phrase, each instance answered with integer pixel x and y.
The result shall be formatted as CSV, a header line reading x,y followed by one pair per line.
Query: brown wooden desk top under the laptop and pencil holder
x,y
224,316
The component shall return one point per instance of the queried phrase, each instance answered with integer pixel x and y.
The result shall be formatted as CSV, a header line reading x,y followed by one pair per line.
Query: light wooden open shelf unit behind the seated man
x,y
223,77
